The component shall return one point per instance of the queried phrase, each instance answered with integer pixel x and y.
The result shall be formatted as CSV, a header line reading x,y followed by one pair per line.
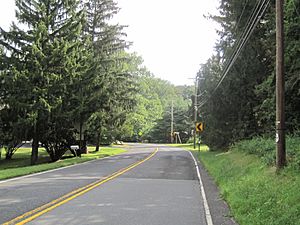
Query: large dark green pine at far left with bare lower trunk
x,y
43,61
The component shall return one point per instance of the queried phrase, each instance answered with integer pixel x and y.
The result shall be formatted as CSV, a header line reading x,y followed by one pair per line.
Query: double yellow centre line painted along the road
x,y
33,214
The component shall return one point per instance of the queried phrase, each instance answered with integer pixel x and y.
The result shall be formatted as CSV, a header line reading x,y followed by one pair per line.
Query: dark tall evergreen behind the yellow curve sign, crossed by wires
x,y
230,111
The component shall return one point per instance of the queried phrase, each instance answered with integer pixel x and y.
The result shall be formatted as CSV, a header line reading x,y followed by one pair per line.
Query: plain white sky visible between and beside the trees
x,y
172,36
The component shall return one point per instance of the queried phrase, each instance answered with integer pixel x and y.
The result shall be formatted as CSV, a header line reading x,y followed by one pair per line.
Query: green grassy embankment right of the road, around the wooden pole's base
x,y
248,181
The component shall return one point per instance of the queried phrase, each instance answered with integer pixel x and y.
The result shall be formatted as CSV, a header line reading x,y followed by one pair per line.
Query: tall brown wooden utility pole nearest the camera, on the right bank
x,y
280,115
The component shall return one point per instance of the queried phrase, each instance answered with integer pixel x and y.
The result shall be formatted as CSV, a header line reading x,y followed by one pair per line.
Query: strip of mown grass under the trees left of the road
x,y
20,164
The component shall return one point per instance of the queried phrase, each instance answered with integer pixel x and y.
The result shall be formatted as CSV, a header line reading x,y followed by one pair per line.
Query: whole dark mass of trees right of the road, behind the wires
x,y
243,106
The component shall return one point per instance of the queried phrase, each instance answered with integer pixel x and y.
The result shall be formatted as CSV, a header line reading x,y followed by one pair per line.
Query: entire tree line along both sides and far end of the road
x,y
65,75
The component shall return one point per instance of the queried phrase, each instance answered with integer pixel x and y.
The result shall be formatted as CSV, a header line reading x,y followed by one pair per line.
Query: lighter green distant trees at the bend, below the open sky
x,y
150,119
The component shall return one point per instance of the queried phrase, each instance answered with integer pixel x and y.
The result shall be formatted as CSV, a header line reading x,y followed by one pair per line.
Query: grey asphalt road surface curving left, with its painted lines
x,y
143,186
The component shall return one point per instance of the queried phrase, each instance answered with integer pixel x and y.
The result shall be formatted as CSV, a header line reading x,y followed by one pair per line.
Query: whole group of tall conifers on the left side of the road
x,y
63,68
